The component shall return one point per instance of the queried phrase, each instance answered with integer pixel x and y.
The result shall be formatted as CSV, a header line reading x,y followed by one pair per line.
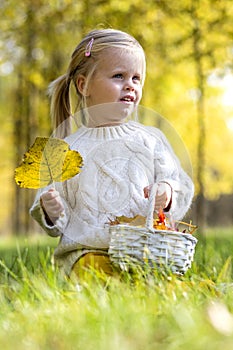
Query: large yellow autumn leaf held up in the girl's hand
x,y
47,160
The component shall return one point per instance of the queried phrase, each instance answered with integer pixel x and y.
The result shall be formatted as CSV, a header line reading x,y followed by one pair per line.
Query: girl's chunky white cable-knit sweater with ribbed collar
x,y
119,161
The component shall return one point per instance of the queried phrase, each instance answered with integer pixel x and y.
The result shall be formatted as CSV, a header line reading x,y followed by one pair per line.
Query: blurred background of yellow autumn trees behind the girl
x,y
189,49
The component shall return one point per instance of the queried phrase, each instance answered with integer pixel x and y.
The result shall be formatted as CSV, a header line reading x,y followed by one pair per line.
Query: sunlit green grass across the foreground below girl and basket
x,y
41,310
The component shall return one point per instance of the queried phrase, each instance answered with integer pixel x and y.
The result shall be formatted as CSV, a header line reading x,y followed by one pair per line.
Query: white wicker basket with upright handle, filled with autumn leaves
x,y
131,245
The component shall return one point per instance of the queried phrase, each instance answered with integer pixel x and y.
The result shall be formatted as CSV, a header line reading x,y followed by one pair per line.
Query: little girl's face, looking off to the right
x,y
117,81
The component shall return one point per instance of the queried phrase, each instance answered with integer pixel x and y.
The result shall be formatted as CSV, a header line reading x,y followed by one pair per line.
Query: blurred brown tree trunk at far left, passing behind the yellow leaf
x,y
24,119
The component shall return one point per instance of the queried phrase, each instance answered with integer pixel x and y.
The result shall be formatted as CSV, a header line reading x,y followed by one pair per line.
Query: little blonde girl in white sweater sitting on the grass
x,y
122,158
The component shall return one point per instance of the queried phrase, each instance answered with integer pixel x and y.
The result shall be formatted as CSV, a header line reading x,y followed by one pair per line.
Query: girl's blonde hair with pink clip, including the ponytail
x,y
81,63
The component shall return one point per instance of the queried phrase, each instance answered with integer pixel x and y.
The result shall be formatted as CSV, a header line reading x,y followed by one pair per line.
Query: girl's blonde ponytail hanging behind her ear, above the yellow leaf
x,y
60,105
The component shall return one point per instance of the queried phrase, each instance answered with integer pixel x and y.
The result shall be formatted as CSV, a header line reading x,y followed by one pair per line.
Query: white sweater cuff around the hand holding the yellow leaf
x,y
38,215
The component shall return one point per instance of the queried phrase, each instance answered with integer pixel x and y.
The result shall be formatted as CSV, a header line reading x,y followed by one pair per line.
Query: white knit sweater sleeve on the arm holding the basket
x,y
168,169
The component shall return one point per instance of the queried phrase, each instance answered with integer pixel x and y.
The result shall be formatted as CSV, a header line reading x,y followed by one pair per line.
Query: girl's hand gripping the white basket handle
x,y
163,196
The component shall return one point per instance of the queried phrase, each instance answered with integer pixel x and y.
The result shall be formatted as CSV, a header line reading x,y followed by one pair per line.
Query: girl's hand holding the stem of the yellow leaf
x,y
52,204
